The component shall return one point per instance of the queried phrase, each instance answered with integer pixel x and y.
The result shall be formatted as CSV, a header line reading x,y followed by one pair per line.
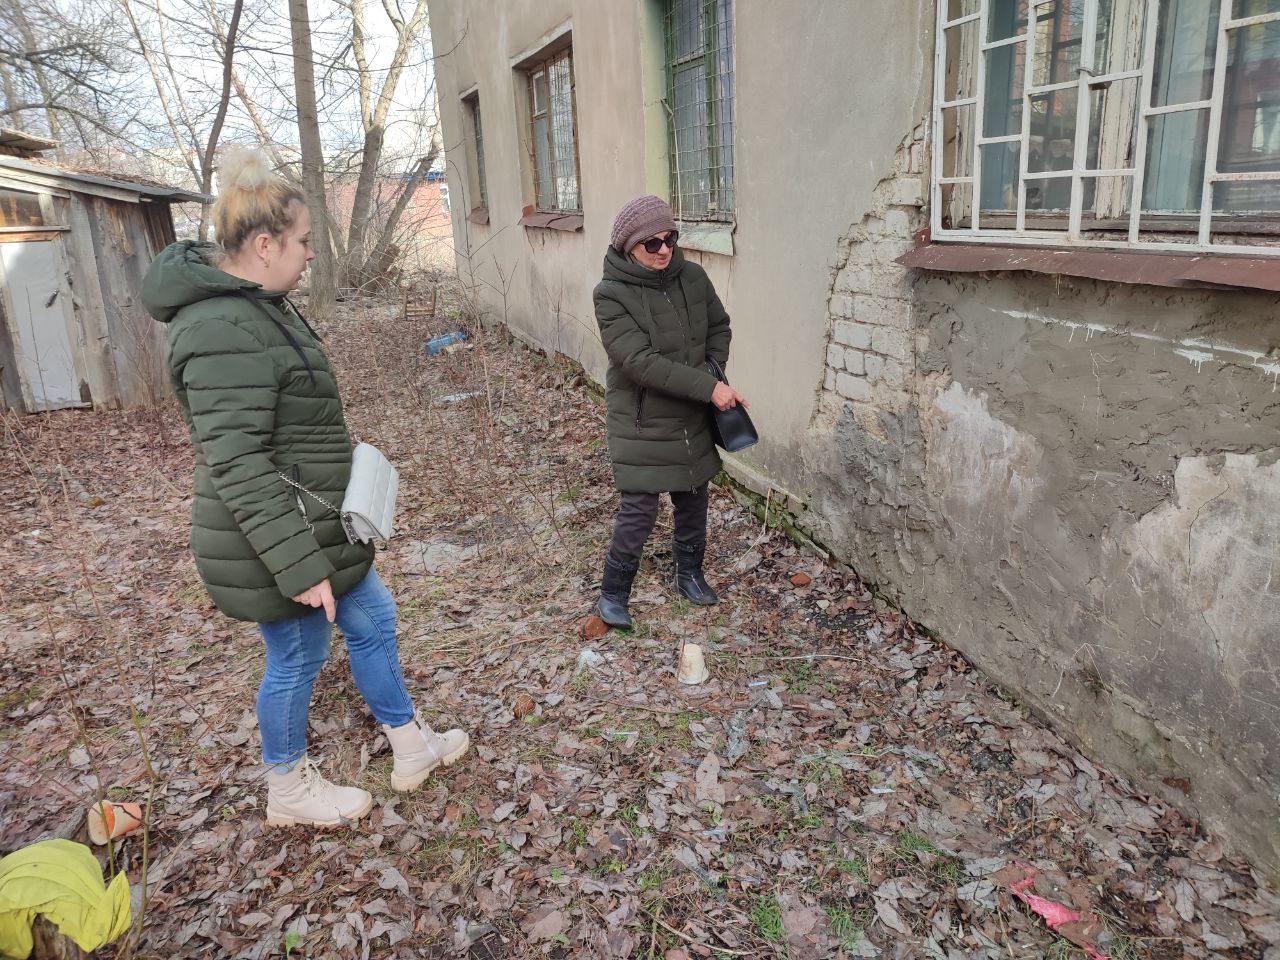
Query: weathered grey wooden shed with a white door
x,y
75,246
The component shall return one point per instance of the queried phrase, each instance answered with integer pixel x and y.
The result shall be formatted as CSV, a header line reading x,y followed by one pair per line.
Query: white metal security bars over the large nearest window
x,y
1072,236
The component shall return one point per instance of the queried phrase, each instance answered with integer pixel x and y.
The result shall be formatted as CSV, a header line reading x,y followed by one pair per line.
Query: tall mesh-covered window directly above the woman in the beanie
x,y
701,108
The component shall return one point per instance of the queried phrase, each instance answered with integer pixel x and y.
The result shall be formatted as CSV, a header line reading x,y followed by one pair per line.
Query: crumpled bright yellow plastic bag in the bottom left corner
x,y
62,881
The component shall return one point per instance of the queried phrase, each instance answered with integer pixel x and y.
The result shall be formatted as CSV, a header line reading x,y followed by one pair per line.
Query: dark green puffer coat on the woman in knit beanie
x,y
660,330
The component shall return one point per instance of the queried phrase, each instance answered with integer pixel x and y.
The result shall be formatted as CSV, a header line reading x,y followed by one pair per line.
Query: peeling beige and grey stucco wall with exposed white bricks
x,y
1073,482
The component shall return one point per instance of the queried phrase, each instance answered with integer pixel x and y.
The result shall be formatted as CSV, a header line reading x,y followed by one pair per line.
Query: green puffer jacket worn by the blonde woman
x,y
259,399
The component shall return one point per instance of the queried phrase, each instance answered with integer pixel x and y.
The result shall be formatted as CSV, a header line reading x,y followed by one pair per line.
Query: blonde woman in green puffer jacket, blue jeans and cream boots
x,y
263,410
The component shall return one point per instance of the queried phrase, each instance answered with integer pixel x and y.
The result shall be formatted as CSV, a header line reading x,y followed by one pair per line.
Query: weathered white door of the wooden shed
x,y
35,281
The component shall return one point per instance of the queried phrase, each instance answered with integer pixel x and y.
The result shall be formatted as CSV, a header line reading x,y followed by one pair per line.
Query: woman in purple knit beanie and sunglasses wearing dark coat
x,y
661,322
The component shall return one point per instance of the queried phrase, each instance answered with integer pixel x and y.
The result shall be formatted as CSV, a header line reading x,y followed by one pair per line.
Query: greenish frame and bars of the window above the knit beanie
x,y
708,54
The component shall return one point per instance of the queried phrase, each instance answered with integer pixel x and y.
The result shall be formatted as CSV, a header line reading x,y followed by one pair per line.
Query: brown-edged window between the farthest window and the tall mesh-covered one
x,y
554,121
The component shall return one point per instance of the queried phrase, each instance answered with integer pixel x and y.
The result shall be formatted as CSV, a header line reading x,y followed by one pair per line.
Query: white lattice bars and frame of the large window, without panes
x,y
1148,231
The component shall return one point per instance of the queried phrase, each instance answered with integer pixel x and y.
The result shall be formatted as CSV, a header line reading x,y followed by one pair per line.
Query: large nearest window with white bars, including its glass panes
x,y
1109,124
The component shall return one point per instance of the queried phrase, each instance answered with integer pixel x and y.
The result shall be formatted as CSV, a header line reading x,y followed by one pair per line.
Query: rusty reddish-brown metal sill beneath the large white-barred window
x,y
1117,267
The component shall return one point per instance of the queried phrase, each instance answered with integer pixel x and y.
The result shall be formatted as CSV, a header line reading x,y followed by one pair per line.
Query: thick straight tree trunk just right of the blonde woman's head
x,y
324,290
